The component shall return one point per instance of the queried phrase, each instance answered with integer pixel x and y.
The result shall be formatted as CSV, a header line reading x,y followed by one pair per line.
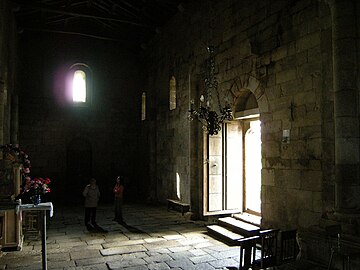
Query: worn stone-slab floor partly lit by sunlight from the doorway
x,y
153,238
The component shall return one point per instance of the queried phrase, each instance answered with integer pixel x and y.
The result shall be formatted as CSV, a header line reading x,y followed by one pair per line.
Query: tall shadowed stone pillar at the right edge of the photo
x,y
346,107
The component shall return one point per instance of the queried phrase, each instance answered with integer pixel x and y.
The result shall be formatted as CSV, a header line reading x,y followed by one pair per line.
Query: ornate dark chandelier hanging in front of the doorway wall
x,y
210,119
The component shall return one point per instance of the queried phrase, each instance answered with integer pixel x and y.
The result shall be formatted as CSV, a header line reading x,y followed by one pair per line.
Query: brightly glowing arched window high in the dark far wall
x,y
80,84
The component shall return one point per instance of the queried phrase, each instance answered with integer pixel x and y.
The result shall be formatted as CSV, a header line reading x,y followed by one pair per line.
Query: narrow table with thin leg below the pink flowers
x,y
43,207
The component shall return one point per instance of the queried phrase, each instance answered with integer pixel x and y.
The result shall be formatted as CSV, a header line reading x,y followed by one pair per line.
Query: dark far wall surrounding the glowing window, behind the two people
x,y
53,131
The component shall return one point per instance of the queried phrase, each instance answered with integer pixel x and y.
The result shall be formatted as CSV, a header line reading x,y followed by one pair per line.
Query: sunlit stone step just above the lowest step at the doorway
x,y
238,226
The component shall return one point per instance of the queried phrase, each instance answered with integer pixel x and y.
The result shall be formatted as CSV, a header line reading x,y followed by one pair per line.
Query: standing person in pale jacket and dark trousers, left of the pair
x,y
92,195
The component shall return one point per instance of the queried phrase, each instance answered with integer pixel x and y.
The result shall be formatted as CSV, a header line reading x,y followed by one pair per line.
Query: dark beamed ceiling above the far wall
x,y
132,22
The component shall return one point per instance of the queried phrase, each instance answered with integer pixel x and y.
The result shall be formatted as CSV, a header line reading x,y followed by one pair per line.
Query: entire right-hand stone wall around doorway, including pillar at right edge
x,y
282,51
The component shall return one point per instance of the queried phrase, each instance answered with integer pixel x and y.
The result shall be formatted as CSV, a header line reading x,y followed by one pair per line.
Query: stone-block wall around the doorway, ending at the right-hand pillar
x,y
279,50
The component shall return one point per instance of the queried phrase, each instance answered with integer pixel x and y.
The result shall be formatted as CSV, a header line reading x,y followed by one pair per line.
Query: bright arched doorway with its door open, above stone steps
x,y
233,164
